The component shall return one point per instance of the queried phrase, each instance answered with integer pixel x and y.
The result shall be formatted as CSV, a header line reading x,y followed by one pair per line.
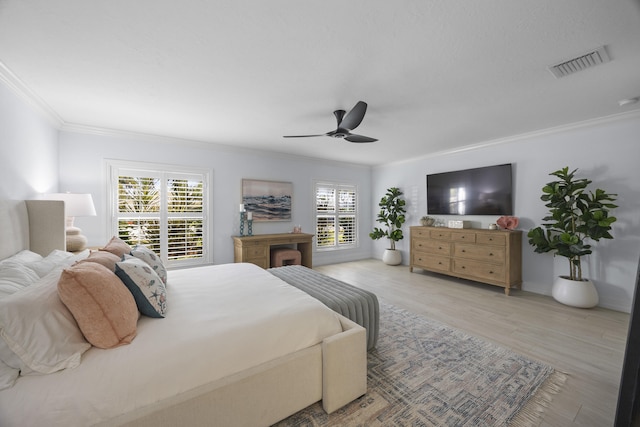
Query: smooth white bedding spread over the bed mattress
x,y
220,320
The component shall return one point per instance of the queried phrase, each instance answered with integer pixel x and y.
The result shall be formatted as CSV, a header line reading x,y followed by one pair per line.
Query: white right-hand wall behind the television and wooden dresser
x,y
608,152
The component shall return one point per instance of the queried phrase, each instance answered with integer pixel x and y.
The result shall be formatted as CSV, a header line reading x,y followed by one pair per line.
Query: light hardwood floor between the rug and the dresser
x,y
586,344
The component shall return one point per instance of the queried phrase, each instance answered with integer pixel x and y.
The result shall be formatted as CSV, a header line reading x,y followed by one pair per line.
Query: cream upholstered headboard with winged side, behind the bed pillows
x,y
37,225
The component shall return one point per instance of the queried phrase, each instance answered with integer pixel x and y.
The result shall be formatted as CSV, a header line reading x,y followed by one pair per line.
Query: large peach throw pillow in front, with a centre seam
x,y
103,307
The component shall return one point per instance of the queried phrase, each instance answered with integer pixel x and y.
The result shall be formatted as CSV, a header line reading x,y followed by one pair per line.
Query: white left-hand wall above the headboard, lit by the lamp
x,y
28,149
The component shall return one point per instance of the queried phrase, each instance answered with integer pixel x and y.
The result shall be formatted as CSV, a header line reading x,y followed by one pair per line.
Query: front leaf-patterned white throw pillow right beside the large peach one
x,y
146,286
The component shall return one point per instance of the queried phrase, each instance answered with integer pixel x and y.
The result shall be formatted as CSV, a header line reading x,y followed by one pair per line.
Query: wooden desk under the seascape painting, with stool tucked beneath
x,y
256,249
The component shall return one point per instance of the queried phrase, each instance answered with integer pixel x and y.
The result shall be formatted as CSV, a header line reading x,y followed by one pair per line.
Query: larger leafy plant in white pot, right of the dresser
x,y
576,217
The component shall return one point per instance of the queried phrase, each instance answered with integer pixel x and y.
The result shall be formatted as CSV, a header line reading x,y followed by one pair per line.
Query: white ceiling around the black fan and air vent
x,y
437,75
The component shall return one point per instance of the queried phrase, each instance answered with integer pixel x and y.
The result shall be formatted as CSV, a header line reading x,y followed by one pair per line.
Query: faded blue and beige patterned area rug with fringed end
x,y
423,373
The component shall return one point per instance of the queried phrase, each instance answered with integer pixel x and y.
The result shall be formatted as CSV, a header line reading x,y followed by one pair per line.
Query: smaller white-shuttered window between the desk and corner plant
x,y
336,216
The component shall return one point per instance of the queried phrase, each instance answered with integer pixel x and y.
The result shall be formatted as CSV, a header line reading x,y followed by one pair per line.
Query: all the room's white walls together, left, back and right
x,y
606,151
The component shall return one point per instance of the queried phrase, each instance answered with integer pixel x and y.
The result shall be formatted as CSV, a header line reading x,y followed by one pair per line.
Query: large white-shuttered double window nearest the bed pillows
x,y
163,208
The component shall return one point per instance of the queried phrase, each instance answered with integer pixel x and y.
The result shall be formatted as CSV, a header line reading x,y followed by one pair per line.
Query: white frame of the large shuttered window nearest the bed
x,y
116,168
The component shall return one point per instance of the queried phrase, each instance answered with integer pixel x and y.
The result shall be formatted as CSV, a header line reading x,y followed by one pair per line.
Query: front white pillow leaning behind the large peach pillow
x,y
39,330
